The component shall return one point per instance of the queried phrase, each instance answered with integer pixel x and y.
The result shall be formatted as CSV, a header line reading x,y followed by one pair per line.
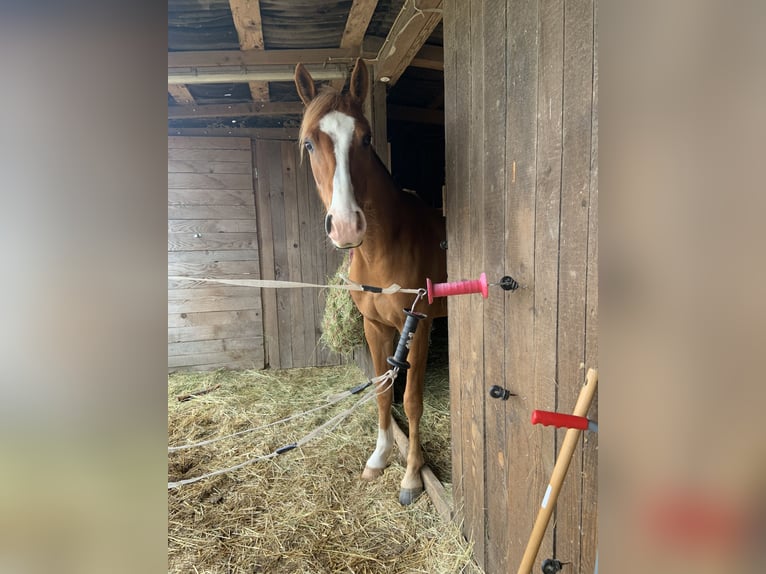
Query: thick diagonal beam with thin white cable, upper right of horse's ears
x,y
410,31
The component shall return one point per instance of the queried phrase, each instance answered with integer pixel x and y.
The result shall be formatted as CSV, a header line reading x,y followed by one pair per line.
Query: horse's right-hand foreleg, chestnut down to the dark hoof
x,y
412,483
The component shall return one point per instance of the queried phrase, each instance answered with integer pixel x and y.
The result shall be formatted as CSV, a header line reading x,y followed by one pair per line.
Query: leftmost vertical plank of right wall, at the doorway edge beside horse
x,y
455,203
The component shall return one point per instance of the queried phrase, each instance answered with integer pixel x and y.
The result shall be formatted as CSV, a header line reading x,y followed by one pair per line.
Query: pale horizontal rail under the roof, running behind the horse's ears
x,y
223,75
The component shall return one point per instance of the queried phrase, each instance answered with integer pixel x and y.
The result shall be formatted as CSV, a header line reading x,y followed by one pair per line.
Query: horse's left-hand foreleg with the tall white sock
x,y
380,340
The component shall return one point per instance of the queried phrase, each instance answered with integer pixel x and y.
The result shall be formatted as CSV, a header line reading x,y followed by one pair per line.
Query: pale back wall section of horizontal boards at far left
x,y
212,233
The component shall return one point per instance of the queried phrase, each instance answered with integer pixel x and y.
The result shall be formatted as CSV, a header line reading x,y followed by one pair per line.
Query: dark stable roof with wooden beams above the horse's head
x,y
230,62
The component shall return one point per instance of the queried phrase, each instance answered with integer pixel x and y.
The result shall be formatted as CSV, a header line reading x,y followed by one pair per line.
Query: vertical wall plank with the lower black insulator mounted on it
x,y
498,451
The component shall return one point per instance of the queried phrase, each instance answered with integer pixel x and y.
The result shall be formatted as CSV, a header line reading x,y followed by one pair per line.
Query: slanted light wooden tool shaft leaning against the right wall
x,y
571,439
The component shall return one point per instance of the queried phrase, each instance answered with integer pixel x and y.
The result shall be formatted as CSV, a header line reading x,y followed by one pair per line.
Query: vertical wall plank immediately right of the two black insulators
x,y
529,464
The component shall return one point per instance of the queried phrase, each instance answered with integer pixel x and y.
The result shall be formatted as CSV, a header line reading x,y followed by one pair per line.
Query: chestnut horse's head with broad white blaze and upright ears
x,y
337,136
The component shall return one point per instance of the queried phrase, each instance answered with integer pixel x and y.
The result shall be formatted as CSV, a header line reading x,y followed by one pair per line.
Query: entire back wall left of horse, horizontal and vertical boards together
x,y
245,208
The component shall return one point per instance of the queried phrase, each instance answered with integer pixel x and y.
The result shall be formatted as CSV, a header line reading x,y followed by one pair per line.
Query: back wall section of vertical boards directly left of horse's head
x,y
294,247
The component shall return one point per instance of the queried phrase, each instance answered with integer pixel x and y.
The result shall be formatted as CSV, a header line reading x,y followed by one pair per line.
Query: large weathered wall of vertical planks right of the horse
x,y
522,199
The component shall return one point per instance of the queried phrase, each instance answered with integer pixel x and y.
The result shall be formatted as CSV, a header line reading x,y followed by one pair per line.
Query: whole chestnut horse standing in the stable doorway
x,y
394,237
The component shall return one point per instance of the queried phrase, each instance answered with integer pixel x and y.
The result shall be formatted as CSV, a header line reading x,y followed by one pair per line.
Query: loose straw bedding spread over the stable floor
x,y
305,511
